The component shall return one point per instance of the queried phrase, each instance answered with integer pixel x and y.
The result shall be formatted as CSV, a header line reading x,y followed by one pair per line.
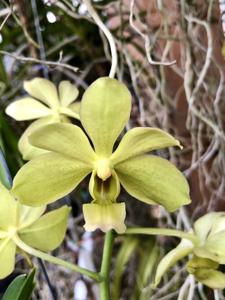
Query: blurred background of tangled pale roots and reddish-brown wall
x,y
59,40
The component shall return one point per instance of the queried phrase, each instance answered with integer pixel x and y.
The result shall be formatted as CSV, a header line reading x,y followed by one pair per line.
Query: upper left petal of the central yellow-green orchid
x,y
66,139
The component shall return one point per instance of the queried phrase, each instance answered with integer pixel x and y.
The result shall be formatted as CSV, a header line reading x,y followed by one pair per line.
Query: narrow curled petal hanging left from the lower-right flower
x,y
170,259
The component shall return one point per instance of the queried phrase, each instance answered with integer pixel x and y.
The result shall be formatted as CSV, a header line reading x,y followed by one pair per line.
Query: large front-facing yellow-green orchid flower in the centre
x,y
105,109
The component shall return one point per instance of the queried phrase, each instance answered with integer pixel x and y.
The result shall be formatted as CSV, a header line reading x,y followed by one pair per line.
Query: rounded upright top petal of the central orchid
x,y
105,109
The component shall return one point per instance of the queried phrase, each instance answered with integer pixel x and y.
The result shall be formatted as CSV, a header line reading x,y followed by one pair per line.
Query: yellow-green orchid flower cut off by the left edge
x,y
24,227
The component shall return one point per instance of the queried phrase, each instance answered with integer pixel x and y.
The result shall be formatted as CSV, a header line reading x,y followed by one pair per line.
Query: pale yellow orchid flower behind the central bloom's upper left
x,y
45,103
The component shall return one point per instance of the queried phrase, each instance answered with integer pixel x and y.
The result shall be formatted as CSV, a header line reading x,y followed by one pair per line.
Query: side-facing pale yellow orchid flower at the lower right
x,y
207,253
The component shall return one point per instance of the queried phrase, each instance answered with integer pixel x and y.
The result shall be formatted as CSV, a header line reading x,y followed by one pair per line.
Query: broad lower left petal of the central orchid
x,y
48,178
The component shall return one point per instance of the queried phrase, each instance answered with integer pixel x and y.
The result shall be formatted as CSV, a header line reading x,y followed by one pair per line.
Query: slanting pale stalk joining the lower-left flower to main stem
x,y
55,260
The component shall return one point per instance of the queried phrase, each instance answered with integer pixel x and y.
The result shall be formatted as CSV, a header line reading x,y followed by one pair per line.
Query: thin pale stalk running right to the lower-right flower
x,y
163,231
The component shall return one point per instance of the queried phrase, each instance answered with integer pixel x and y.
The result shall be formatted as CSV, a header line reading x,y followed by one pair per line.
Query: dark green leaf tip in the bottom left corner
x,y
21,287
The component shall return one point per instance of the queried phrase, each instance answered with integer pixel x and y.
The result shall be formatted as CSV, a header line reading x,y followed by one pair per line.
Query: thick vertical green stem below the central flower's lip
x,y
105,266
